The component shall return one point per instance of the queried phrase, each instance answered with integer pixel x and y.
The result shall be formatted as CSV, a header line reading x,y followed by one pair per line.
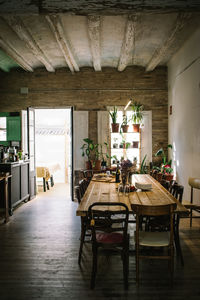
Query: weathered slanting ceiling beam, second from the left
x,y
17,25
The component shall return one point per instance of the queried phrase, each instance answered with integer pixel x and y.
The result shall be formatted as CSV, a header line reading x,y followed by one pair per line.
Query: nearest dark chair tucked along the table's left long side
x,y
85,226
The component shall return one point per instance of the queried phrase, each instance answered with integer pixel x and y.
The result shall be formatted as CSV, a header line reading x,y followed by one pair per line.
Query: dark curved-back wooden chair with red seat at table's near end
x,y
109,231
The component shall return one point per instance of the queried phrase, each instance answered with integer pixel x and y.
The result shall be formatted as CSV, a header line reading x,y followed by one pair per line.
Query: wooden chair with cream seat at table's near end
x,y
154,239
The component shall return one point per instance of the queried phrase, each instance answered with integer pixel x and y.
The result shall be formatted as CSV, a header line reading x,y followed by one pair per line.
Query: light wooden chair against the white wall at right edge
x,y
194,184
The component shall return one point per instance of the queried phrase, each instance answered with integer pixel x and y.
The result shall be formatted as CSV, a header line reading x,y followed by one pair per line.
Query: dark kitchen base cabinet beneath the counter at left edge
x,y
18,188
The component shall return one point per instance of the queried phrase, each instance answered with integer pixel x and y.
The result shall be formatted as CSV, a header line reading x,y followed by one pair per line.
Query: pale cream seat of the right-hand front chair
x,y
154,239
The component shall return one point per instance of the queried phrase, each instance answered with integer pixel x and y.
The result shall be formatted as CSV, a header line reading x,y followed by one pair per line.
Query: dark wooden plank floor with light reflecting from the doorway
x,y
38,258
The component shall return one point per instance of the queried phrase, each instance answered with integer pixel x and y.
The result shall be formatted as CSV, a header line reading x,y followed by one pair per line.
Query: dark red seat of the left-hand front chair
x,y
109,238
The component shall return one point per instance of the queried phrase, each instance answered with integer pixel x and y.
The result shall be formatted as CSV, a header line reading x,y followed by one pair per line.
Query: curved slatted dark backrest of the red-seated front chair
x,y
108,217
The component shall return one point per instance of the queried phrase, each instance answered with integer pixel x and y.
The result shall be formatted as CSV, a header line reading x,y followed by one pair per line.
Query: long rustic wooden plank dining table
x,y
106,190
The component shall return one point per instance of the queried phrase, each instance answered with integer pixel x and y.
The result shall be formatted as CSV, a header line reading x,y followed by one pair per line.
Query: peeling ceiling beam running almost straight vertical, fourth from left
x,y
94,34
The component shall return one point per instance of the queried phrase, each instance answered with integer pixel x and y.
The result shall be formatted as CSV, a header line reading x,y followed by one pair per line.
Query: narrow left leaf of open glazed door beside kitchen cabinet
x,y
31,151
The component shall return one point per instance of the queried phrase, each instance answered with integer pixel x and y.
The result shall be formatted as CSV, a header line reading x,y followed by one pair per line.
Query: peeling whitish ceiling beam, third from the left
x,y
58,31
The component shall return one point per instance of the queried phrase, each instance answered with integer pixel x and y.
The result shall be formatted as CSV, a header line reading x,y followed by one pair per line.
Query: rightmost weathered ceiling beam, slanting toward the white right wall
x,y
160,53
